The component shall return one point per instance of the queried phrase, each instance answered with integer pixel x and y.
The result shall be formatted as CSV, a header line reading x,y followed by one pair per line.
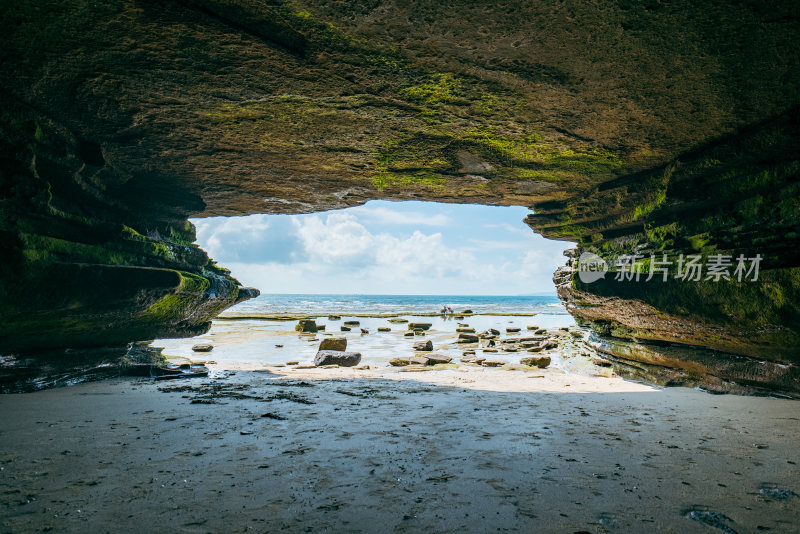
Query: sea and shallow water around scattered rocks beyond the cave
x,y
253,342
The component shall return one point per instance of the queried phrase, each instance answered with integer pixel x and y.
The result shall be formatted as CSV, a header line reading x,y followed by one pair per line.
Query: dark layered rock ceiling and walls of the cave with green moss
x,y
629,127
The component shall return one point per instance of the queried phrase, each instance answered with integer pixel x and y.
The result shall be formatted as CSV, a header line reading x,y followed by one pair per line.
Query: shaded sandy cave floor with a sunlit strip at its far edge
x,y
471,449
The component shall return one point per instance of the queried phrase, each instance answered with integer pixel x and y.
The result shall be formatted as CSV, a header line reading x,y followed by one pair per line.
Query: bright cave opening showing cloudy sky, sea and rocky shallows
x,y
385,265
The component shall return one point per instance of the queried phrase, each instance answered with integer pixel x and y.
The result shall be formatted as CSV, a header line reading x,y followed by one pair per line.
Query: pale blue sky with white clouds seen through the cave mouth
x,y
387,248
